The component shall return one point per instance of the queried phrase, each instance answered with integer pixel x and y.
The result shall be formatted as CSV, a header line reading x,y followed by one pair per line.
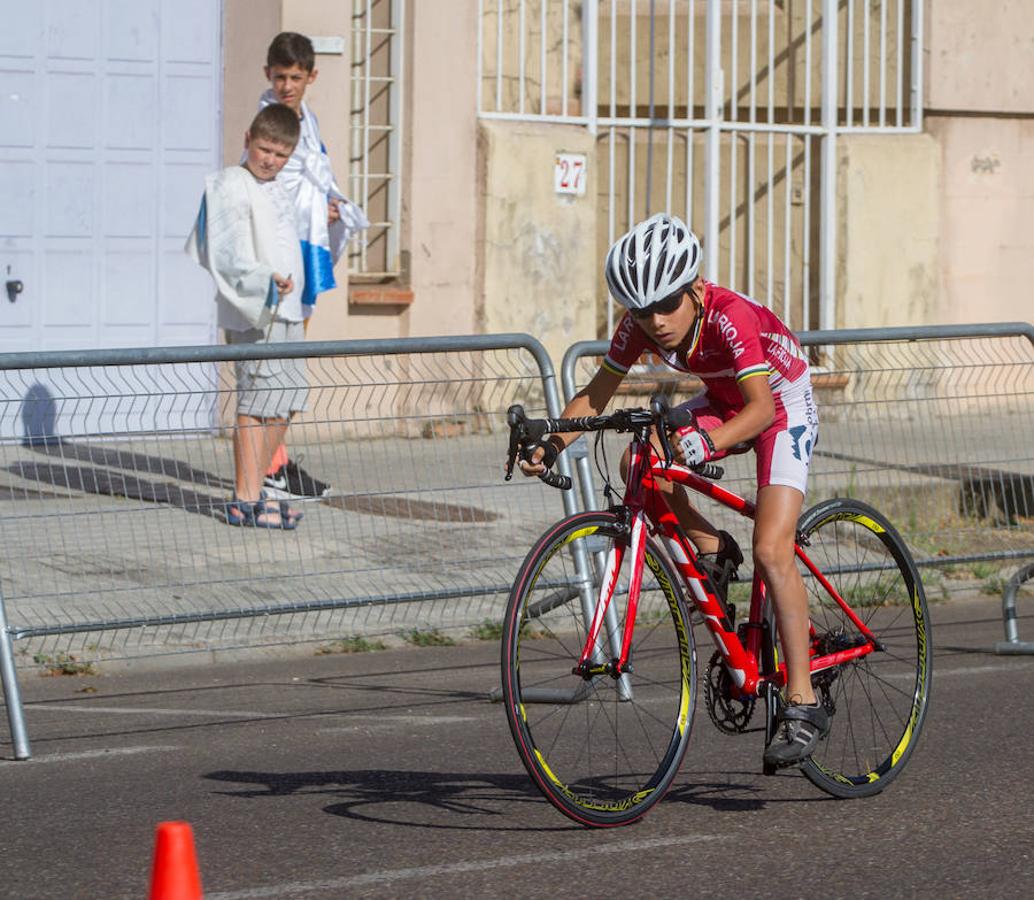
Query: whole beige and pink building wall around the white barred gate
x,y
932,227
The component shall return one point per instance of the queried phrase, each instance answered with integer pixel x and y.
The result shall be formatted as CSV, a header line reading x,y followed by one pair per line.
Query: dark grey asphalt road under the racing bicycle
x,y
389,774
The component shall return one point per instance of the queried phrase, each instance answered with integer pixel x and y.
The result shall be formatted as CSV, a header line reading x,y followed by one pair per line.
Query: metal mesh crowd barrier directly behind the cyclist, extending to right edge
x,y
933,426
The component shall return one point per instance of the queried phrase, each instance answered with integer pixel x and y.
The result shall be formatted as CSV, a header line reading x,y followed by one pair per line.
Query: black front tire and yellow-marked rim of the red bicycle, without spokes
x,y
558,794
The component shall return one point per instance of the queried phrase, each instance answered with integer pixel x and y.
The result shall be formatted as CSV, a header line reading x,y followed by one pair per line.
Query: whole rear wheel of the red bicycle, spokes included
x,y
878,703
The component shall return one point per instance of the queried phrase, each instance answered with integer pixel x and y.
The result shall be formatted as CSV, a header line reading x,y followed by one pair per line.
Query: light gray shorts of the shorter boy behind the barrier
x,y
271,388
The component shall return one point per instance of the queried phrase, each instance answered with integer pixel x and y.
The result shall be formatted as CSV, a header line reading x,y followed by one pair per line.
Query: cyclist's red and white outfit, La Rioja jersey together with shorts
x,y
739,340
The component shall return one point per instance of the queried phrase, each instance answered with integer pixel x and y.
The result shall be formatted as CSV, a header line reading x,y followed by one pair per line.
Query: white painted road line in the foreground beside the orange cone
x,y
390,876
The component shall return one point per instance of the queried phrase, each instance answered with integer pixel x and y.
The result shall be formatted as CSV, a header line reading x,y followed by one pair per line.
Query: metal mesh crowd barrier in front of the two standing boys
x,y
116,467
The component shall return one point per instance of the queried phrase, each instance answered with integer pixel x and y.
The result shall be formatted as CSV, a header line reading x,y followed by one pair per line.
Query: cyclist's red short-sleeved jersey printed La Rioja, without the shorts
x,y
740,339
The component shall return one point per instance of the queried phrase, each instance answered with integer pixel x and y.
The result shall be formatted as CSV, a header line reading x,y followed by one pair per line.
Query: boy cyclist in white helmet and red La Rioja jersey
x,y
757,389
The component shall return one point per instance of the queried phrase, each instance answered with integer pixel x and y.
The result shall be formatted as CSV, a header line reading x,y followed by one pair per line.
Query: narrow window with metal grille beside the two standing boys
x,y
377,136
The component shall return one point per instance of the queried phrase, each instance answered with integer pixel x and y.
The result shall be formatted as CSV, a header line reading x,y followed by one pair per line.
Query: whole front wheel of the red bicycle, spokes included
x,y
603,752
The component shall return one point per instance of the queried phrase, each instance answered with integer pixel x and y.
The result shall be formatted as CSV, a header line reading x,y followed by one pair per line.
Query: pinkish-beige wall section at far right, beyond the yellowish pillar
x,y
980,101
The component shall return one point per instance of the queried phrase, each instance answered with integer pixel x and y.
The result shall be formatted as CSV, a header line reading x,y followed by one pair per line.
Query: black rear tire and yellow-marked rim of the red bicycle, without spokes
x,y
853,786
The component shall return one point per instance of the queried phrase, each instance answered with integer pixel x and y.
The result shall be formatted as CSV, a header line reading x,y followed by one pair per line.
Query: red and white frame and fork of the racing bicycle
x,y
645,502
